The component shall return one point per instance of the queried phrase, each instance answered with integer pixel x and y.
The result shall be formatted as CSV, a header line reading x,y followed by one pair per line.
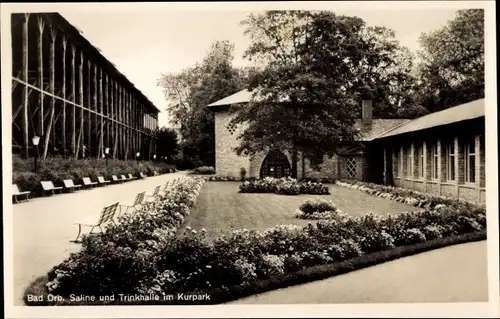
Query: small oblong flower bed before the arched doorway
x,y
284,186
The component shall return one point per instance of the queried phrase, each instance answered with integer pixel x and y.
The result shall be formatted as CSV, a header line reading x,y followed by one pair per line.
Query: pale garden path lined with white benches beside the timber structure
x,y
43,227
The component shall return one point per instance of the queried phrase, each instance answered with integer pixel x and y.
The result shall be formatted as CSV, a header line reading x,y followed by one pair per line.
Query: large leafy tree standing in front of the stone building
x,y
318,66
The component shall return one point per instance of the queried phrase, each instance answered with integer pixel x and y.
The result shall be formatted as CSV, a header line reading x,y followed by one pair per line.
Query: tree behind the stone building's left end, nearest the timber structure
x,y
190,91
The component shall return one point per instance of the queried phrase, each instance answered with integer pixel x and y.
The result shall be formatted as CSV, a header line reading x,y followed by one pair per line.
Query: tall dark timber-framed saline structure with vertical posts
x,y
68,94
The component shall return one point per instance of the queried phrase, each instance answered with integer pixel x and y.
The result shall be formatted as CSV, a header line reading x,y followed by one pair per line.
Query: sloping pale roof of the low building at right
x,y
463,112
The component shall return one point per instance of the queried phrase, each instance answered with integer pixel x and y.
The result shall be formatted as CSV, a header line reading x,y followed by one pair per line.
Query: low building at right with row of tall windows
x,y
442,153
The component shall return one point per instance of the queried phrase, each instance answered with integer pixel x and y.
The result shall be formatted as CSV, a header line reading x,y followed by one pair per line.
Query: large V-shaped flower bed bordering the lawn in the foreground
x,y
145,255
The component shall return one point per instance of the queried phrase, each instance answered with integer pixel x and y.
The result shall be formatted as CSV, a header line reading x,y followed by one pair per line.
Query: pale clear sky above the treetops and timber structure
x,y
144,44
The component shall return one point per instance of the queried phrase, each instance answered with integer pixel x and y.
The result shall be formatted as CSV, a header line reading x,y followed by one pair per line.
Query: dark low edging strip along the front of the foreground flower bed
x,y
218,296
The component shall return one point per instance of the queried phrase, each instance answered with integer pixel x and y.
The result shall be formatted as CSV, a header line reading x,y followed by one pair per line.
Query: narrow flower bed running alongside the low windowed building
x,y
411,197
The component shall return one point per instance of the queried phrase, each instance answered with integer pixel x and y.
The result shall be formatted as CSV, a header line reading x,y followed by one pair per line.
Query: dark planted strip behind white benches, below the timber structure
x,y
58,169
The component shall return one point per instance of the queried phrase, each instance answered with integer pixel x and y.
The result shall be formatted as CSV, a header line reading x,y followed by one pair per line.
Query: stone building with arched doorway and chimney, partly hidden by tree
x,y
350,162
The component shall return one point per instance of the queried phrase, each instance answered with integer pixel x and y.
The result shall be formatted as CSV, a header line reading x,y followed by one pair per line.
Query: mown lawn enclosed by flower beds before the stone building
x,y
220,208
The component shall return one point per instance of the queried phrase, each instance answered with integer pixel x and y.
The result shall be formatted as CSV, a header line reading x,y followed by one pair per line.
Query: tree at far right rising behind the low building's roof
x,y
452,66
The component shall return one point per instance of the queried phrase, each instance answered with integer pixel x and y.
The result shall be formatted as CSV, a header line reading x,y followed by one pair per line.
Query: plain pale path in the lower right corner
x,y
451,274
